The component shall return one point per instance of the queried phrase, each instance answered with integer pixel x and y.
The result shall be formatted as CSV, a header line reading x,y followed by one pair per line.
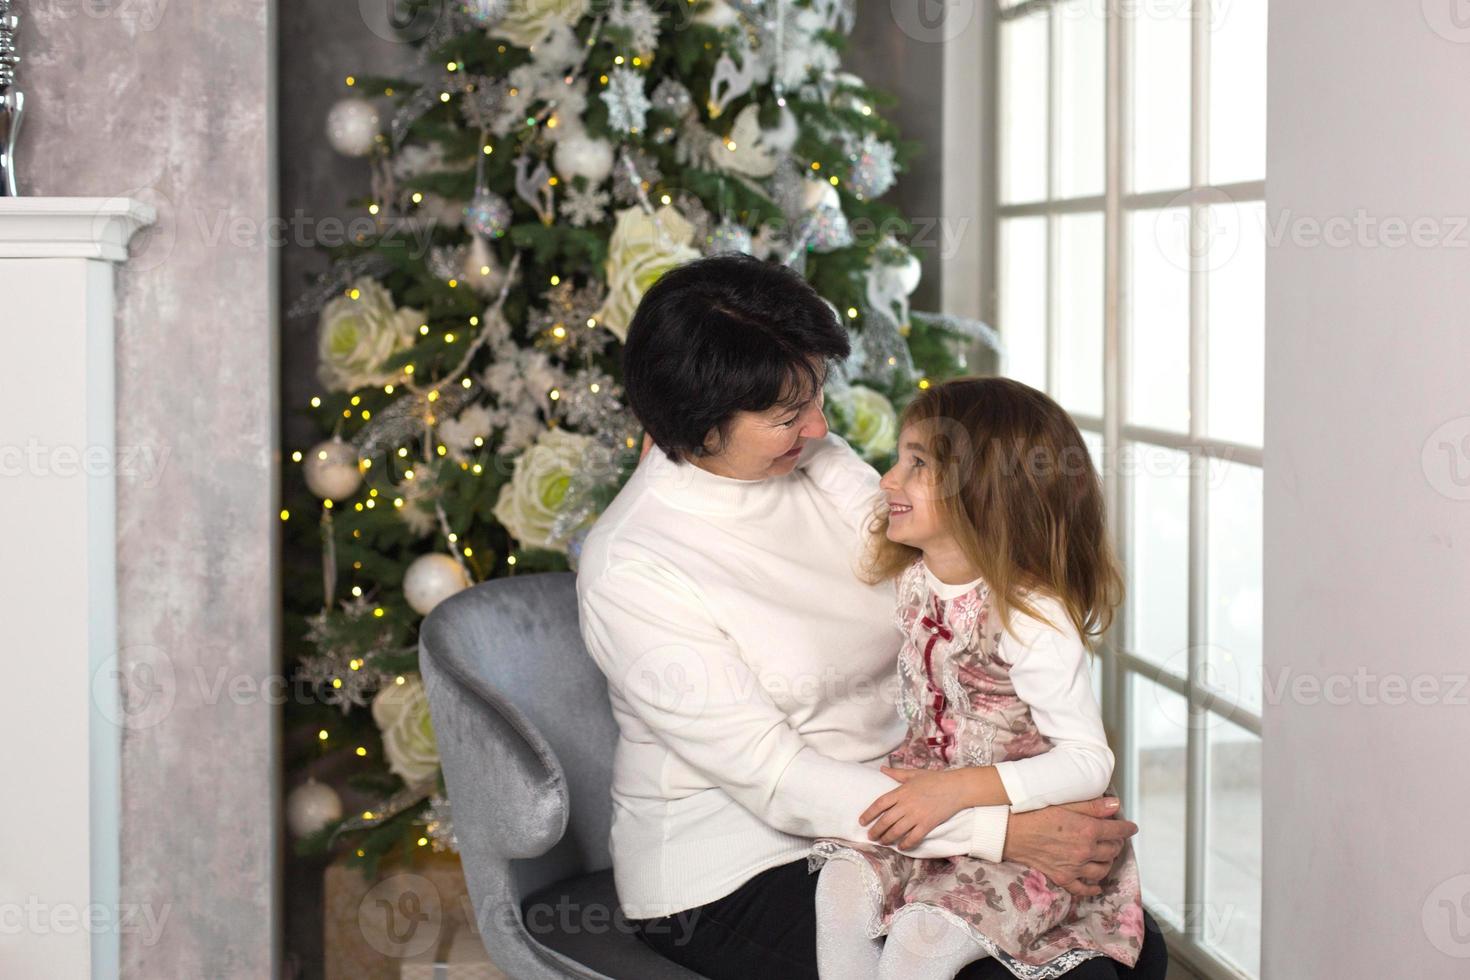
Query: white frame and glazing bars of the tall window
x,y
965,195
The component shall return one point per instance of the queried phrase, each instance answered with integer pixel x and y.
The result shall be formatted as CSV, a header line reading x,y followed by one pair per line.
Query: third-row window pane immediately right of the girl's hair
x,y
1159,556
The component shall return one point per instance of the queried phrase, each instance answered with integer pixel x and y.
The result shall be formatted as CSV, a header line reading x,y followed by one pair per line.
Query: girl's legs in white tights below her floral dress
x,y
922,944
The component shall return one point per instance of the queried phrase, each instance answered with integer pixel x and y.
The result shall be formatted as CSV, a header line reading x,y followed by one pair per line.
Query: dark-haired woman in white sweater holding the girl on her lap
x,y
752,674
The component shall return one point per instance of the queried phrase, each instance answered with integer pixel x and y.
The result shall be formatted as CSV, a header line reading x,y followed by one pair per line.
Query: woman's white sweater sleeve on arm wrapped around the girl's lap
x,y
673,666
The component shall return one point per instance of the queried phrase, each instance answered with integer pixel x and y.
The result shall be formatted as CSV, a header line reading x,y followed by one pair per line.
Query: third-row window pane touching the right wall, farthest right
x,y
1234,583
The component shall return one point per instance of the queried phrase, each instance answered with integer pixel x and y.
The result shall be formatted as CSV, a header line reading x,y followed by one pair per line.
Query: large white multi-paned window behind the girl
x,y
1130,261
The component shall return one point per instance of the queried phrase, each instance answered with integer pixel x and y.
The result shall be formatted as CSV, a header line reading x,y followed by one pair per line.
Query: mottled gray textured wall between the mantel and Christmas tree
x,y
173,104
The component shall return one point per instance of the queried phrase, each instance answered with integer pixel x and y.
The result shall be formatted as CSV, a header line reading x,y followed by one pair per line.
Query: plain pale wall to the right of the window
x,y
1368,493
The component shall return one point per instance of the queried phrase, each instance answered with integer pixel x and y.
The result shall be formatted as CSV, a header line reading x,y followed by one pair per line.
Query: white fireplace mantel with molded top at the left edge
x,y
62,727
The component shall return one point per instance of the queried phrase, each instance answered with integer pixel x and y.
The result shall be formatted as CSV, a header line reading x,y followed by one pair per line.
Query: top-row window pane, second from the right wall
x,y
1161,93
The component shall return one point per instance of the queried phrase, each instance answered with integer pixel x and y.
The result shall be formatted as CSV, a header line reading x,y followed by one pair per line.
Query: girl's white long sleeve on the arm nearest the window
x,y
1050,674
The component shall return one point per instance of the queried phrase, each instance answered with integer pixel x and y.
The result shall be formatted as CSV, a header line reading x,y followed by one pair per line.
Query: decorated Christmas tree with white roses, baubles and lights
x,y
545,165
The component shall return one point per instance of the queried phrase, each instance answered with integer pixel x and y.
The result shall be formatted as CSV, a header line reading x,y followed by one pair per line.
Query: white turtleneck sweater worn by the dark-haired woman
x,y
752,675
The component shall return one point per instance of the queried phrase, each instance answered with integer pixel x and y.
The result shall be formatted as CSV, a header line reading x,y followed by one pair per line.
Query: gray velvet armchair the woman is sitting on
x,y
527,738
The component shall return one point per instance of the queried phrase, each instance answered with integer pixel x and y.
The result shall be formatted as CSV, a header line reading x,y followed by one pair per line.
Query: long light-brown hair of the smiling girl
x,y
1019,494
